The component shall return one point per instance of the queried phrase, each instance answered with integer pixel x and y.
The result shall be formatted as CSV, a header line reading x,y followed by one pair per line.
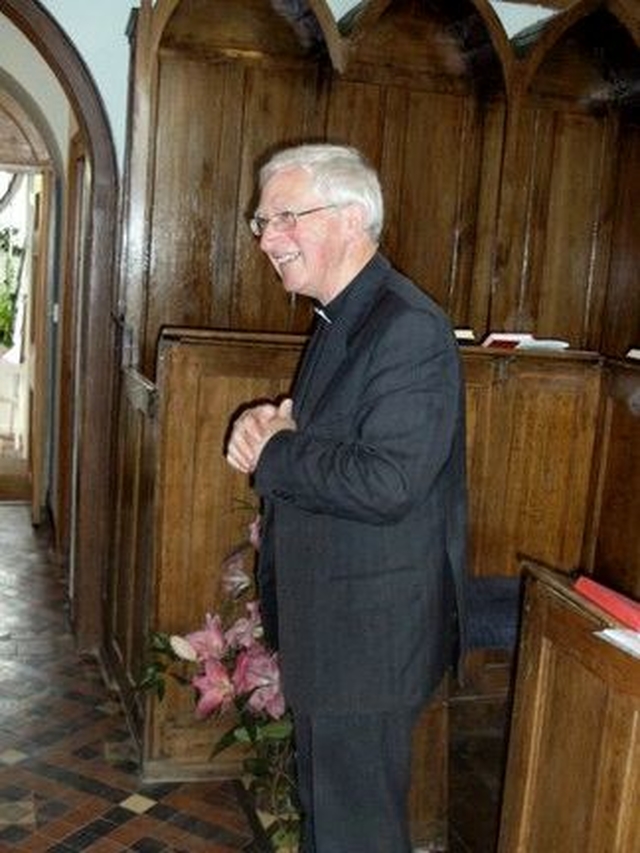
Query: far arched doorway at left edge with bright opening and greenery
x,y
30,170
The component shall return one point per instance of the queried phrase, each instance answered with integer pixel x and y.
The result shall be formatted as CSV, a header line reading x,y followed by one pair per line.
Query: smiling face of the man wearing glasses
x,y
310,256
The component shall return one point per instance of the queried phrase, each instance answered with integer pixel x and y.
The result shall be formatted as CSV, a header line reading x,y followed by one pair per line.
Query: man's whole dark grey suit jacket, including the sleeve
x,y
364,528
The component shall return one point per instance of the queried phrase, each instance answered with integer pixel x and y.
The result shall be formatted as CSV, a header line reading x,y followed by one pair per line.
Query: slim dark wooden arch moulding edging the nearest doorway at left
x,y
93,501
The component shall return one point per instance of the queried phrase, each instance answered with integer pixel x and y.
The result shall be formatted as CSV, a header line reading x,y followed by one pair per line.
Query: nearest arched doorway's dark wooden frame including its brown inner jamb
x,y
87,344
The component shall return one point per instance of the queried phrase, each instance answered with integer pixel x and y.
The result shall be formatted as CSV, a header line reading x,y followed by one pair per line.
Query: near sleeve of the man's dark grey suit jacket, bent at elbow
x,y
373,454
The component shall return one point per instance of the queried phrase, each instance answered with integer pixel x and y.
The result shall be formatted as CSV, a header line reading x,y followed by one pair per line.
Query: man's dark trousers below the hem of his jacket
x,y
353,779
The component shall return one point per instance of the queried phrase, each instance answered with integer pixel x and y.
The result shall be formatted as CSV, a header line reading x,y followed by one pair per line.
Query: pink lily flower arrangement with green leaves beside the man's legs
x,y
233,673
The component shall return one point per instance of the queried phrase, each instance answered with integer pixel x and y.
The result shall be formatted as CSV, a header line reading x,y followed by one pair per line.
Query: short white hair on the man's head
x,y
340,174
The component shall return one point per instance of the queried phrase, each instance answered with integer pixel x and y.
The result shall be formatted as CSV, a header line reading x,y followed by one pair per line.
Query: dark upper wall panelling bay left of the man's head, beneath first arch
x,y
205,266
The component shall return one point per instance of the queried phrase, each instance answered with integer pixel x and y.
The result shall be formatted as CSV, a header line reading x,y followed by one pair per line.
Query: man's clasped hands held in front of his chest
x,y
252,430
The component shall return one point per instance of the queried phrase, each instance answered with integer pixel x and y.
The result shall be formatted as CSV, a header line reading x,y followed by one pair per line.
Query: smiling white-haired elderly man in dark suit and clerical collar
x,y
361,475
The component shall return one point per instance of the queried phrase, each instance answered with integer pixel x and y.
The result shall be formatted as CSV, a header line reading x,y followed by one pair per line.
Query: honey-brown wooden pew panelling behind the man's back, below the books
x,y
532,424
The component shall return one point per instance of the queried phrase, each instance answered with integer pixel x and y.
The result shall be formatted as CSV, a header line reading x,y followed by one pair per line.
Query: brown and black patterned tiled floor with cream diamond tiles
x,y
68,777
